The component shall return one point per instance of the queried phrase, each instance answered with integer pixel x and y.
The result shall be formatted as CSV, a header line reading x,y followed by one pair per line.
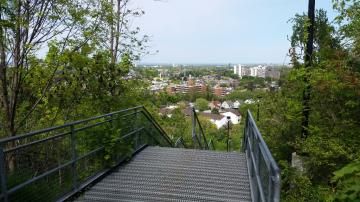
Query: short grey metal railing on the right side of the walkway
x,y
263,170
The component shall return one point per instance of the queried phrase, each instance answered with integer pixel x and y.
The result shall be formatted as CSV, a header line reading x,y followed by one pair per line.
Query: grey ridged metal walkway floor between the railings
x,y
172,174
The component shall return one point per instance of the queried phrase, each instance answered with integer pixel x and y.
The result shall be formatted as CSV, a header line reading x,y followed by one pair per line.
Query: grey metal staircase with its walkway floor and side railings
x,y
127,156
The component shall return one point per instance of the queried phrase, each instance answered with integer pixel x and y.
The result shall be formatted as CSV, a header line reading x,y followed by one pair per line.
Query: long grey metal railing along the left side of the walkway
x,y
55,163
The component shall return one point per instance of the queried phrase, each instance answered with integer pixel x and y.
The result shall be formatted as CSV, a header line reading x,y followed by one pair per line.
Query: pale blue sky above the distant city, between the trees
x,y
220,31
